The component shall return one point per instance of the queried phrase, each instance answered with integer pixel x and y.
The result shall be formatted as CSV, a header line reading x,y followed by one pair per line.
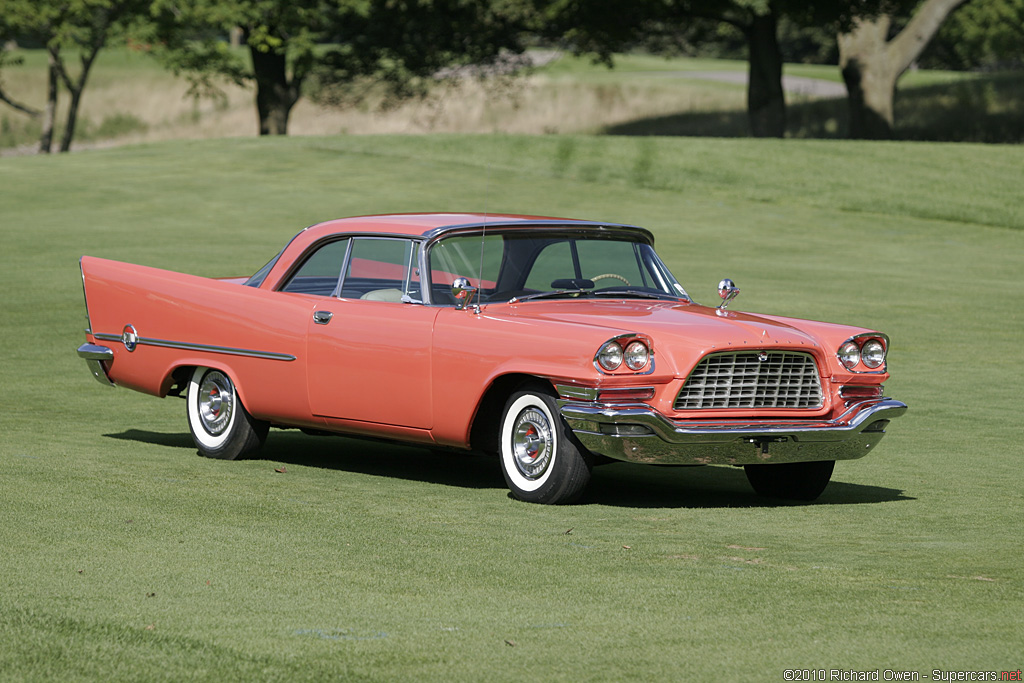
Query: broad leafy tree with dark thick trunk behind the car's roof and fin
x,y
336,44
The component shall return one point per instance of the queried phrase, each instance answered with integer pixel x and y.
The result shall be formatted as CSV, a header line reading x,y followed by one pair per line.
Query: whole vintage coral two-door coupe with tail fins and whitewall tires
x,y
554,345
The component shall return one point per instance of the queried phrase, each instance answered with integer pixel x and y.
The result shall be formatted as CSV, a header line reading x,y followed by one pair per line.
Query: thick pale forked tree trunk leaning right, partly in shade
x,y
872,63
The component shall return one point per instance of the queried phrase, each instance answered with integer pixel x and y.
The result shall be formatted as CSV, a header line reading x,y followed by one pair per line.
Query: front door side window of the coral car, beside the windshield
x,y
383,270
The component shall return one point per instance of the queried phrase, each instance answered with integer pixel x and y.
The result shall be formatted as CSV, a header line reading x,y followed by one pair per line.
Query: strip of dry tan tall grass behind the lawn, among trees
x,y
160,107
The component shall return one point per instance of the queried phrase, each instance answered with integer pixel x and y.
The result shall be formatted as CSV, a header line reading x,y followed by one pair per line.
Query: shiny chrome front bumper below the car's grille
x,y
638,434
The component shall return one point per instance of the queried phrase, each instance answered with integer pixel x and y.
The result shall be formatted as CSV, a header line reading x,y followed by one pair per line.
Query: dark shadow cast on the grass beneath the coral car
x,y
618,485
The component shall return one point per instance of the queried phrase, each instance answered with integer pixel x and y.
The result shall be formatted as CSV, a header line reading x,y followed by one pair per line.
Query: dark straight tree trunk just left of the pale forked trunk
x,y
765,98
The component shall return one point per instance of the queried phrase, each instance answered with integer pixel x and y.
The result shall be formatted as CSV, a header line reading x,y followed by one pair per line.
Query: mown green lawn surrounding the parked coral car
x,y
125,557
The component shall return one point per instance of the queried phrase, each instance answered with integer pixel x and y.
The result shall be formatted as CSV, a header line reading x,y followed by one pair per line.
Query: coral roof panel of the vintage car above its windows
x,y
433,225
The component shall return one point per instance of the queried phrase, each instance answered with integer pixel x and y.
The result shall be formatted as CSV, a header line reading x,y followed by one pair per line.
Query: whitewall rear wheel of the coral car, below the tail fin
x,y
220,423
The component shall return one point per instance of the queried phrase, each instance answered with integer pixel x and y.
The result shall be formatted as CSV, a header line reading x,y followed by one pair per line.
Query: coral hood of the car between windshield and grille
x,y
685,331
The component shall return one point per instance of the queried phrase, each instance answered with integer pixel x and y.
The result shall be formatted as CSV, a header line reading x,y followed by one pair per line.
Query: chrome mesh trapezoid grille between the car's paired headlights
x,y
783,379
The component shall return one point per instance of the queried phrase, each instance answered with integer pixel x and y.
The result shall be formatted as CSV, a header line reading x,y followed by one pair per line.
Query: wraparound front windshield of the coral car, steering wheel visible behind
x,y
558,265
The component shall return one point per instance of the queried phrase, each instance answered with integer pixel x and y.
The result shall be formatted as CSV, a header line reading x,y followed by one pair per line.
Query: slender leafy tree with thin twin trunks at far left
x,y
83,26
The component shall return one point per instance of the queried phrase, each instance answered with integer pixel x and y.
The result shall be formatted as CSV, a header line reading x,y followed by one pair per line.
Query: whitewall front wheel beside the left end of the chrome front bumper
x,y
541,460
